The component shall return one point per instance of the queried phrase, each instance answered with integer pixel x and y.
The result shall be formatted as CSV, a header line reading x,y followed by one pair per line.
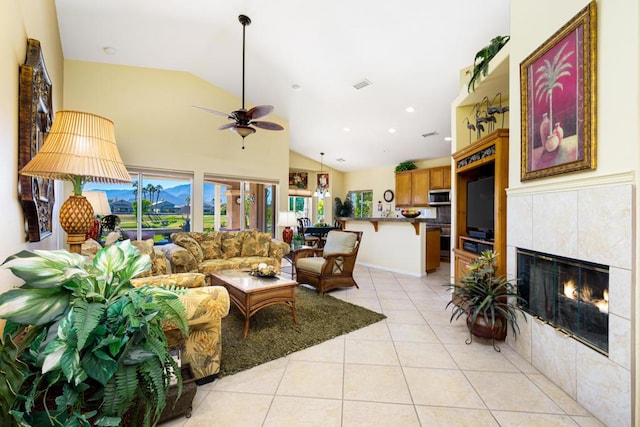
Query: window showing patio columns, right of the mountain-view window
x,y
237,204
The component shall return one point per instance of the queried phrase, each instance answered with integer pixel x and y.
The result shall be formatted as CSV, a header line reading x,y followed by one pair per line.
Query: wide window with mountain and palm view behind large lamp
x,y
154,205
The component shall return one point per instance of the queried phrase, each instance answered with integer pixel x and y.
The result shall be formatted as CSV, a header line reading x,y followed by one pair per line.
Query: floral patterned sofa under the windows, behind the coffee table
x,y
223,250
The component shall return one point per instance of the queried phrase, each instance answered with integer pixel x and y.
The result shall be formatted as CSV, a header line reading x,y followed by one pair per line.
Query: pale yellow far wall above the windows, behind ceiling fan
x,y
157,126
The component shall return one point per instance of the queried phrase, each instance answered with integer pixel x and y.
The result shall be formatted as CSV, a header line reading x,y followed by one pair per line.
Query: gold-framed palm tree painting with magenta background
x,y
558,93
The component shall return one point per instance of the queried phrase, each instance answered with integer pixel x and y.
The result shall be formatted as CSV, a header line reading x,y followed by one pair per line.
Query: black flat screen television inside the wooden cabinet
x,y
480,203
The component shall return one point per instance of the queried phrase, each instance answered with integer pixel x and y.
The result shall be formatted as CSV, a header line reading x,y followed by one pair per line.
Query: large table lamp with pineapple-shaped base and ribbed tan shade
x,y
81,147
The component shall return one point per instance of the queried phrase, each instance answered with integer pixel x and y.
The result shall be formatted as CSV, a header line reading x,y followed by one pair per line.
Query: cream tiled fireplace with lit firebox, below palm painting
x,y
588,223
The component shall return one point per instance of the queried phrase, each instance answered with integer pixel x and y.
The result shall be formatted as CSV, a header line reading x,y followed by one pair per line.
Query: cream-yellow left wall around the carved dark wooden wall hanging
x,y
19,20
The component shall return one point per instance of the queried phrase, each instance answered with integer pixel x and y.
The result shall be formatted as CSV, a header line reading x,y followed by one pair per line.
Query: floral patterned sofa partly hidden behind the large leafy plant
x,y
205,305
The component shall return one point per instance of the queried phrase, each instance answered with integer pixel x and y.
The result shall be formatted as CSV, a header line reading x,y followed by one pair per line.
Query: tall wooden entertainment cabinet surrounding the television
x,y
487,157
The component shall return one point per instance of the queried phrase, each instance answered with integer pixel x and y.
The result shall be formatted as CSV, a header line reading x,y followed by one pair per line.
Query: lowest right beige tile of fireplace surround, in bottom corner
x,y
604,388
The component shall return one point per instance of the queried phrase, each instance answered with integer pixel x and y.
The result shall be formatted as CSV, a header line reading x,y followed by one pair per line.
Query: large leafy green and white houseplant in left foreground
x,y
81,343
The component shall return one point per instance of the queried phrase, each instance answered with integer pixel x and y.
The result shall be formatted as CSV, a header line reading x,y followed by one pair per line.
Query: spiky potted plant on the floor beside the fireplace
x,y
489,303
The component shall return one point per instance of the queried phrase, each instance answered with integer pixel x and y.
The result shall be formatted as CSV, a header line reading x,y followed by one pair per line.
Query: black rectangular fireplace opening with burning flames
x,y
569,294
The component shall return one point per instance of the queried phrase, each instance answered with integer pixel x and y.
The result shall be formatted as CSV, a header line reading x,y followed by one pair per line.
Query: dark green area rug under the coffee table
x,y
273,334
